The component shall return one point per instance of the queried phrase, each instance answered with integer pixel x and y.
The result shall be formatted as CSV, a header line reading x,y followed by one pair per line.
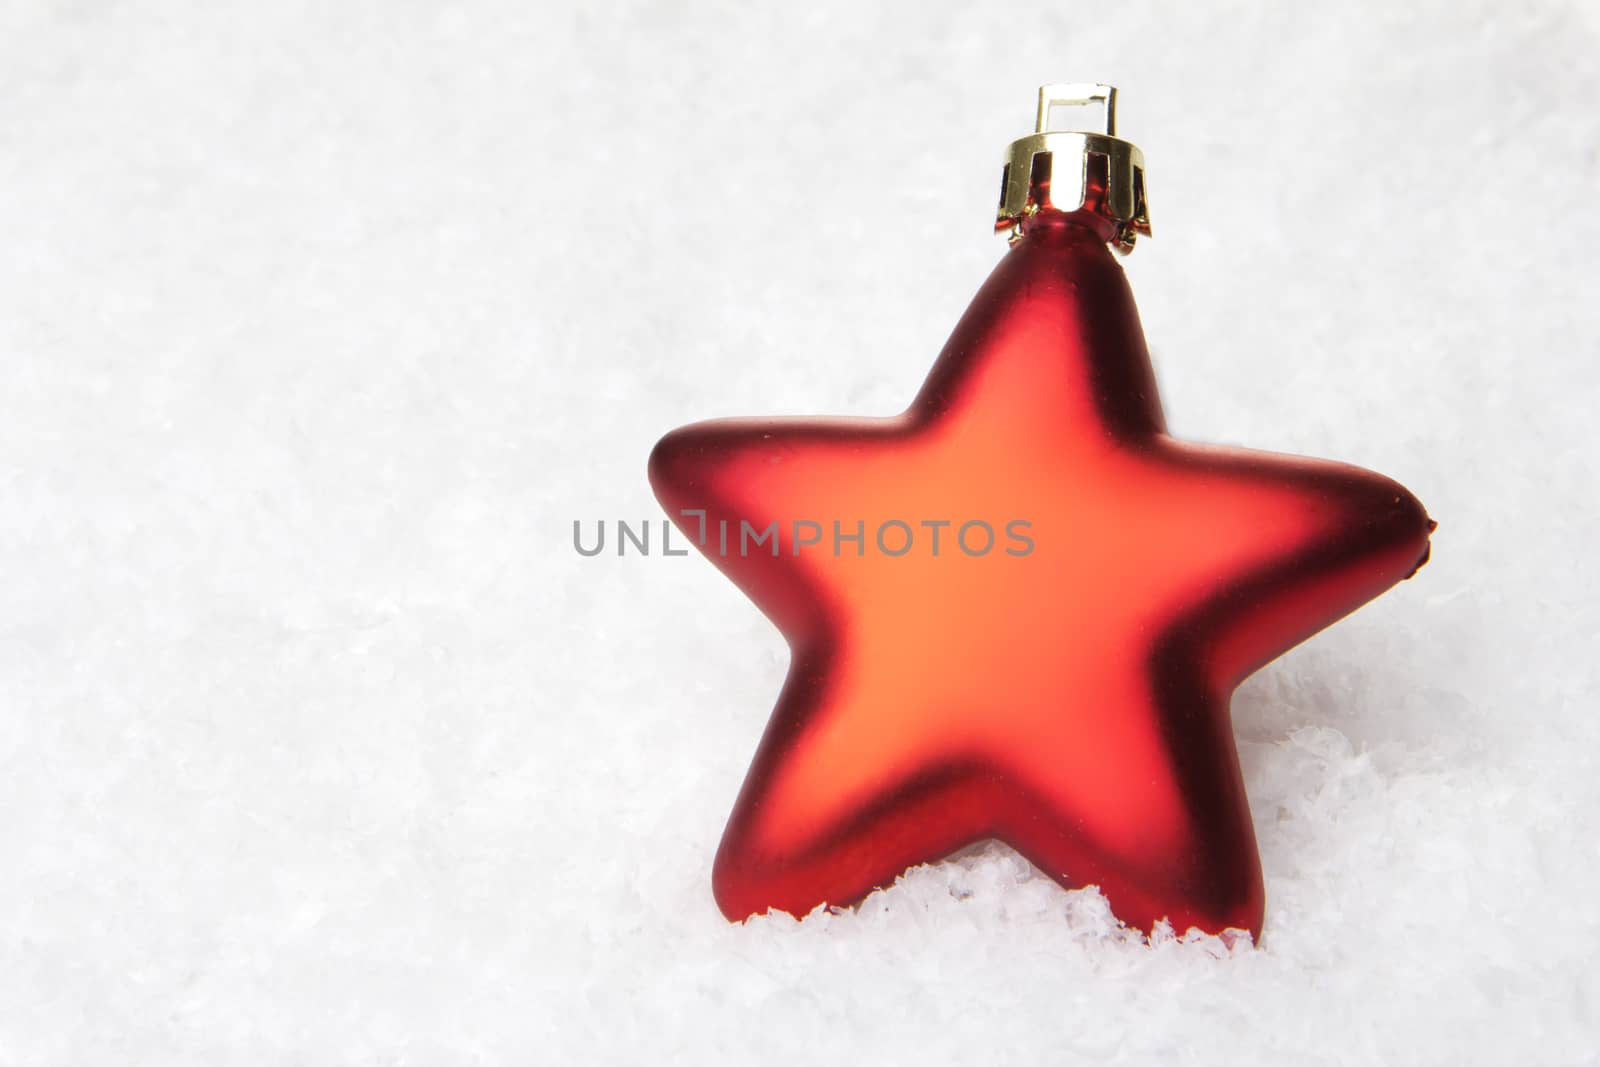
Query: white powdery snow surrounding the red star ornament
x,y
321,326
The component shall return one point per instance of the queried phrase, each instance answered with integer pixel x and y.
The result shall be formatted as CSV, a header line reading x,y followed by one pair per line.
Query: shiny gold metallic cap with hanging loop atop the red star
x,y
1076,170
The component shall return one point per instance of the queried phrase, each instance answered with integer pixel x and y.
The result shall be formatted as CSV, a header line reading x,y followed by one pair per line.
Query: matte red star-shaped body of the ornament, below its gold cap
x,y
1071,701
